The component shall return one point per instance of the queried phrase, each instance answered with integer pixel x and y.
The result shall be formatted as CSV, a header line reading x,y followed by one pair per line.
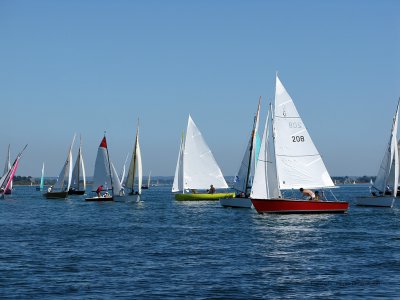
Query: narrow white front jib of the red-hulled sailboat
x,y
266,183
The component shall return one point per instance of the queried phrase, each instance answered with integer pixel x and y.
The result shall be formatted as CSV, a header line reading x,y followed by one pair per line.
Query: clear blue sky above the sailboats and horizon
x,y
86,67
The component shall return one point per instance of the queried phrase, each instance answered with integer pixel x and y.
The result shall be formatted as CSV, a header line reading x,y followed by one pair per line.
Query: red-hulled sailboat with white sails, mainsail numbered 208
x,y
297,162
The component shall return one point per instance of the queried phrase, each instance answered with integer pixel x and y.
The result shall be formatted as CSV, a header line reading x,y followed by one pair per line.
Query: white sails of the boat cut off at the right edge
x,y
390,160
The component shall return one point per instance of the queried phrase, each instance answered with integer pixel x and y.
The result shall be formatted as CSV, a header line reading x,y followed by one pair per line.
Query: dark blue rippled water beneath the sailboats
x,y
161,248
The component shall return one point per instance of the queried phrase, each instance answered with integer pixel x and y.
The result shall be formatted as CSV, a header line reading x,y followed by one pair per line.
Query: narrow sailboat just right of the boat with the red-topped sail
x,y
135,165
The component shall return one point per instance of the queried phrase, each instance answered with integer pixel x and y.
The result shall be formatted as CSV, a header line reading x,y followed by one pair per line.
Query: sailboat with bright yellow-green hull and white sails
x,y
197,169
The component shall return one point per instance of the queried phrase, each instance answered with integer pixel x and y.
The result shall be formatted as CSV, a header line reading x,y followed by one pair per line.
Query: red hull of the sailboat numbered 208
x,y
298,206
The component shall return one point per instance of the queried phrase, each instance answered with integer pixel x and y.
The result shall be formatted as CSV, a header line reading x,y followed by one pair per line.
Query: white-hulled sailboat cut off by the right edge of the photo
x,y
388,174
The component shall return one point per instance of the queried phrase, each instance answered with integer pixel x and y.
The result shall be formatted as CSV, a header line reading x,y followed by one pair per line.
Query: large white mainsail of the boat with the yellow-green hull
x,y
200,169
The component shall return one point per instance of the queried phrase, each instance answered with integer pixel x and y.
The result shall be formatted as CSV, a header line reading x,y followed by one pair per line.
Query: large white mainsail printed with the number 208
x,y
299,163
